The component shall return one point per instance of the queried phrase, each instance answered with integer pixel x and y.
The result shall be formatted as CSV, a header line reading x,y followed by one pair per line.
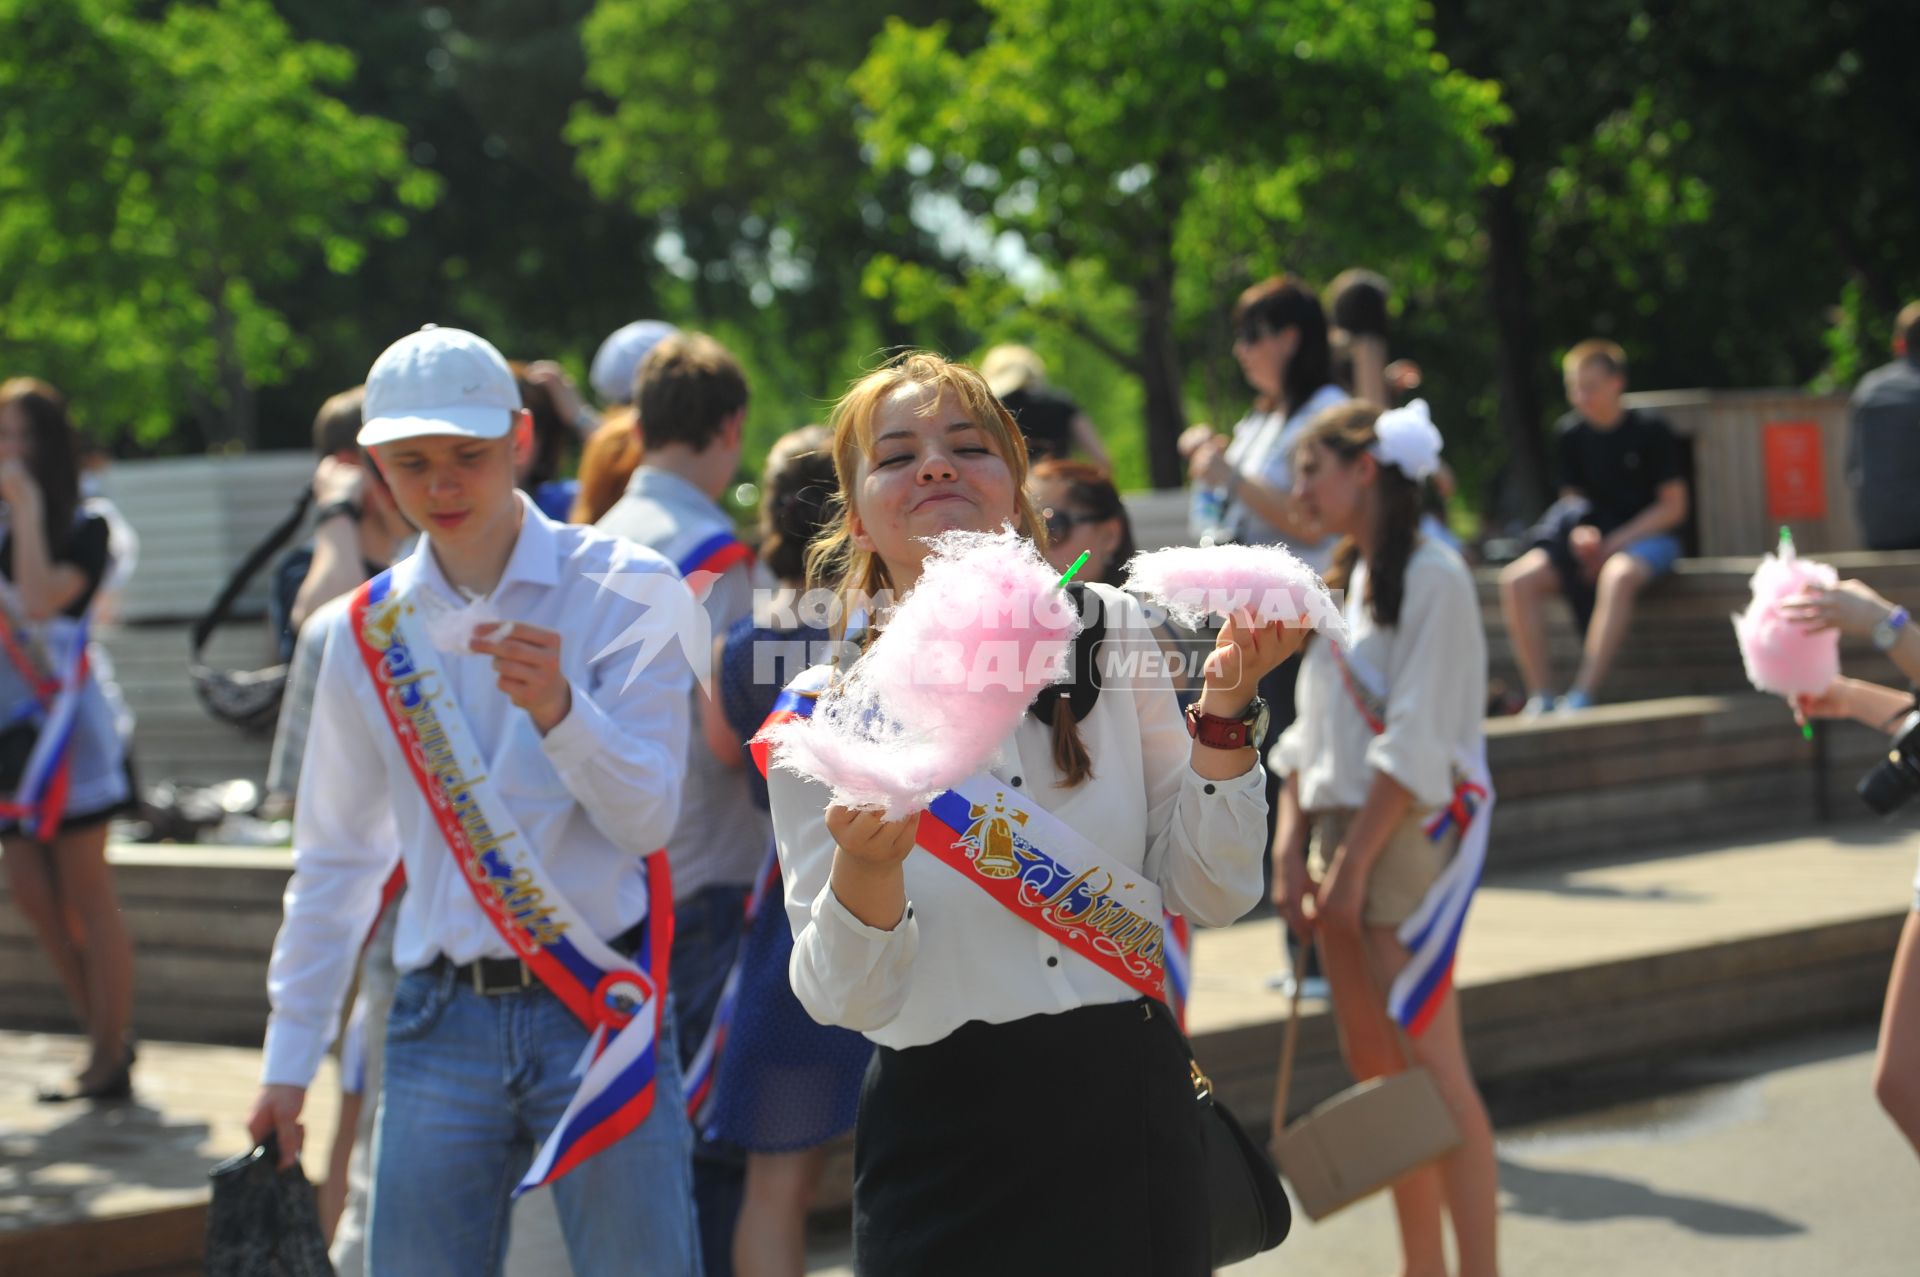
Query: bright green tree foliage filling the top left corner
x,y
158,178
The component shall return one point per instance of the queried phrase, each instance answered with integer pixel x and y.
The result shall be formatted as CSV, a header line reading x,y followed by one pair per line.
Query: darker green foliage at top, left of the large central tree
x,y
732,124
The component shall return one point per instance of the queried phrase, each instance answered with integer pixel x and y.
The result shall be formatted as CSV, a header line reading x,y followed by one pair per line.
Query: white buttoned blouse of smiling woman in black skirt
x,y
959,955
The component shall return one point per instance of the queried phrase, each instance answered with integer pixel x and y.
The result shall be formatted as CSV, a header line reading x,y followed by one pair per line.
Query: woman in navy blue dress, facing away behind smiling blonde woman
x,y
784,1086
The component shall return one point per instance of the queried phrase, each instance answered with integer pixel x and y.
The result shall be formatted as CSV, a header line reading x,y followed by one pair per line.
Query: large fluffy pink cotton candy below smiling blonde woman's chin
x,y
948,681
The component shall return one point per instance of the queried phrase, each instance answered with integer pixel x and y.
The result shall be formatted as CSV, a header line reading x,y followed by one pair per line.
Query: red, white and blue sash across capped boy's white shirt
x,y
619,1000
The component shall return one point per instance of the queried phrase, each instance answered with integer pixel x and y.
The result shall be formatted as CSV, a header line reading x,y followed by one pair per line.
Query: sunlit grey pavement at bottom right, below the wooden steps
x,y
1769,1163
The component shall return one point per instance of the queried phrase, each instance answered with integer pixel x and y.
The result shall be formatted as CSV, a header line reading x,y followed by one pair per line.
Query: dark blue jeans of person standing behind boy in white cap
x,y
708,930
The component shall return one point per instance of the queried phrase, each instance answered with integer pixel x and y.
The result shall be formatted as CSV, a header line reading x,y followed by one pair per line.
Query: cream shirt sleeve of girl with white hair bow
x,y
1437,687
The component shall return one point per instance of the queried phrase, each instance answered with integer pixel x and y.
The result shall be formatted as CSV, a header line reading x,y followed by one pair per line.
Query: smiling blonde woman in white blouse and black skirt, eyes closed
x,y
1028,1111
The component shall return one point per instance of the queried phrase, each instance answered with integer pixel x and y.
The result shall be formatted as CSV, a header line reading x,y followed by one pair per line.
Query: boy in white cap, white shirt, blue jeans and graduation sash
x,y
523,783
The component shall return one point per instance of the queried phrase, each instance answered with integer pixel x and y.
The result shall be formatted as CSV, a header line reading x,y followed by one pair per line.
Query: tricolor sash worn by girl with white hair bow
x,y
1433,932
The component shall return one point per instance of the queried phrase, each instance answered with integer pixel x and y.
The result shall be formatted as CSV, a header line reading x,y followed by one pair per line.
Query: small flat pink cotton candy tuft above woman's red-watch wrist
x,y
1266,583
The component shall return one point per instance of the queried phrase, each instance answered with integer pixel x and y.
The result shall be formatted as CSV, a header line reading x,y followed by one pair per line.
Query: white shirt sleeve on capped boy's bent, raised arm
x,y
623,746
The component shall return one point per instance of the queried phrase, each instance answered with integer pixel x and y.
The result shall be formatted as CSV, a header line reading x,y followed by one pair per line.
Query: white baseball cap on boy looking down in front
x,y
439,381
